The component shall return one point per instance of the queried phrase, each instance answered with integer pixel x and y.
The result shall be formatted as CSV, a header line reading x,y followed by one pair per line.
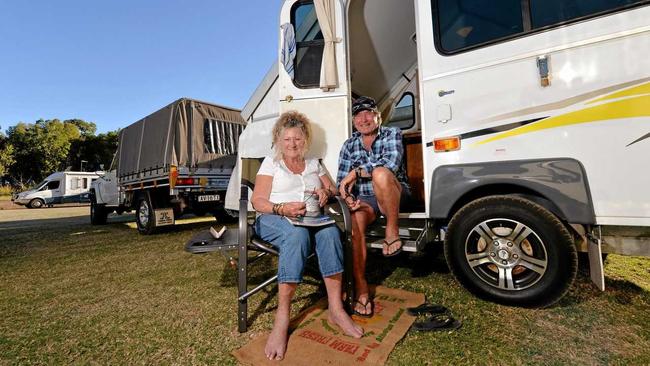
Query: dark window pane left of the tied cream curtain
x,y
309,45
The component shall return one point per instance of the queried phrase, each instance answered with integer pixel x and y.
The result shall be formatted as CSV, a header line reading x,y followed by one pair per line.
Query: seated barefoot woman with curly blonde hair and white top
x,y
282,185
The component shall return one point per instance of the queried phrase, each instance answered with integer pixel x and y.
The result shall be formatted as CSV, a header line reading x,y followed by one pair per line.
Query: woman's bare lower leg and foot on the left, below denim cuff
x,y
276,345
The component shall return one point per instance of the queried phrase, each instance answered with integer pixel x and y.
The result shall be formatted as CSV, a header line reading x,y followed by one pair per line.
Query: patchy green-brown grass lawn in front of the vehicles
x,y
83,294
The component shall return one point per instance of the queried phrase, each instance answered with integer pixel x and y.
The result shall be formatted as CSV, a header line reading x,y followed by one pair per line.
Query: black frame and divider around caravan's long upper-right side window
x,y
527,24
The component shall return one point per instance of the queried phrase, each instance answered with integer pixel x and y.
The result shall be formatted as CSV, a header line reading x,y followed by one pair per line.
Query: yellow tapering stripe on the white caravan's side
x,y
626,108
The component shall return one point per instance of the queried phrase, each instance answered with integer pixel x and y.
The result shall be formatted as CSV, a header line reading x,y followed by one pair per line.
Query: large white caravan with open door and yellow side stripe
x,y
526,125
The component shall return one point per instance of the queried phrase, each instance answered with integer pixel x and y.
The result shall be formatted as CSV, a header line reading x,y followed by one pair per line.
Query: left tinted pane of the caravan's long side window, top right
x,y
465,23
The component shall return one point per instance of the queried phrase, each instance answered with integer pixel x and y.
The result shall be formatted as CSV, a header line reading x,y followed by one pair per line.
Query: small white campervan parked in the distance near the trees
x,y
57,188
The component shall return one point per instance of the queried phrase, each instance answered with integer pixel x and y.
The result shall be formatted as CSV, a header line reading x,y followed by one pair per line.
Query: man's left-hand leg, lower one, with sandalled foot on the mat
x,y
361,218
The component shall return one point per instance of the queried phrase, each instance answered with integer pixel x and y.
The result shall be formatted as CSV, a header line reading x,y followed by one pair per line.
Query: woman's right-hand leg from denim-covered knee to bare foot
x,y
330,259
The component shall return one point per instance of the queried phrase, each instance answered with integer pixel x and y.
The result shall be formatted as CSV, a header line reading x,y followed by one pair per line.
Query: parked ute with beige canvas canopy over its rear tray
x,y
177,160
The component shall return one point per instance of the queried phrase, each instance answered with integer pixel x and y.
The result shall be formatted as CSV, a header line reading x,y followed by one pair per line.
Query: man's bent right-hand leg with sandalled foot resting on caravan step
x,y
388,190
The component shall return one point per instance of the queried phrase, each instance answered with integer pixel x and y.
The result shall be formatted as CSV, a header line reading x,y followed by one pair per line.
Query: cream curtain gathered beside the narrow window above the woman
x,y
326,18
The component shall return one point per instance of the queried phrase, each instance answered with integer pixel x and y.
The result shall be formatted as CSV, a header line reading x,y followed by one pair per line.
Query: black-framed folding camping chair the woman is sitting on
x,y
246,241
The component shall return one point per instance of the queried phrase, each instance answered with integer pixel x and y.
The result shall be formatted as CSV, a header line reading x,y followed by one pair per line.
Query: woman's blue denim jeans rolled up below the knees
x,y
296,243
